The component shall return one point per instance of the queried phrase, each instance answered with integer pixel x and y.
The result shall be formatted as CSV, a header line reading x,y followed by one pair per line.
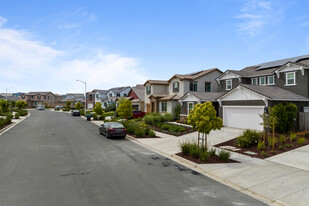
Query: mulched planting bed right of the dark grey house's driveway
x,y
287,145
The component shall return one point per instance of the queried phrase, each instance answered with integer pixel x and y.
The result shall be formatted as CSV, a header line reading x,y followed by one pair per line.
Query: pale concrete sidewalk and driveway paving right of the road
x,y
279,180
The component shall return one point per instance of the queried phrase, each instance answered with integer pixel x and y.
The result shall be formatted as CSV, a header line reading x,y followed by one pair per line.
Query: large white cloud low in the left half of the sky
x,y
28,65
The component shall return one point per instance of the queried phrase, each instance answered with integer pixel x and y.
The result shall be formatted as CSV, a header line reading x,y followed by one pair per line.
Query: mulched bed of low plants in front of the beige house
x,y
170,129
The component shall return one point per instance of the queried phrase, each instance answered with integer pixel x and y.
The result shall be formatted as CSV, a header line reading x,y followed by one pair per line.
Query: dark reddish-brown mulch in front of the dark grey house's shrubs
x,y
292,145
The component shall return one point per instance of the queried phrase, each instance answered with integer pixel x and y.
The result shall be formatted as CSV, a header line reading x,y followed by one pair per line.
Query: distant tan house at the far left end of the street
x,y
34,99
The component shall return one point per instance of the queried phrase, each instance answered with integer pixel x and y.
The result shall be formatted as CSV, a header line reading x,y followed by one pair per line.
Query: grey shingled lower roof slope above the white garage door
x,y
275,93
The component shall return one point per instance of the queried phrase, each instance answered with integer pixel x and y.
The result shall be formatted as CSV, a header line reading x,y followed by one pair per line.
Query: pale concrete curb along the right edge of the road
x,y
199,169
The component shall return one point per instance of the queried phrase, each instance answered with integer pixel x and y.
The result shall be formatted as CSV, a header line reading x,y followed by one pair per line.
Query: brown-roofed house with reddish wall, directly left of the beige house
x,y
137,97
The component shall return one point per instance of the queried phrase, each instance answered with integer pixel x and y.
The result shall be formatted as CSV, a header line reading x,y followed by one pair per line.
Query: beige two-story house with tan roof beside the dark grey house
x,y
165,95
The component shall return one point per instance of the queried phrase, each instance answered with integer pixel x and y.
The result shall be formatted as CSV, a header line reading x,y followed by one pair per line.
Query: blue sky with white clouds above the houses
x,y
47,45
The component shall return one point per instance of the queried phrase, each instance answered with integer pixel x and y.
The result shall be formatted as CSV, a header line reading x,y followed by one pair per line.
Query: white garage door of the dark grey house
x,y
243,117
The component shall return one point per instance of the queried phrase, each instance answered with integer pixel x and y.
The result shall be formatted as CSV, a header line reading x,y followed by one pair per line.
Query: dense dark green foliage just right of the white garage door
x,y
285,116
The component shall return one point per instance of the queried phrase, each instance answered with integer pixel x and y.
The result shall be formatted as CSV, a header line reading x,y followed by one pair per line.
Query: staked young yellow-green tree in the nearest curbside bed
x,y
204,118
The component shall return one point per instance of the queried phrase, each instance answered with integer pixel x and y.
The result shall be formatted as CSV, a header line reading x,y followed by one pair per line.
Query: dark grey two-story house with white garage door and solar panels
x,y
250,91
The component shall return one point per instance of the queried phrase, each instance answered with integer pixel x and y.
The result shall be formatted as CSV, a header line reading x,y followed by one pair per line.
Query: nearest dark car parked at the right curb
x,y
113,129
